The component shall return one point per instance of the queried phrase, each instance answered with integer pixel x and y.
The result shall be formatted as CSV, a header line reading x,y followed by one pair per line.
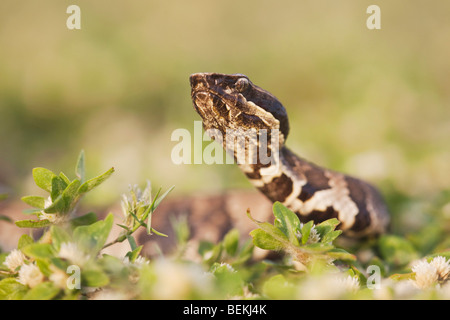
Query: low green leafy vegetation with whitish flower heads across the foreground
x,y
67,262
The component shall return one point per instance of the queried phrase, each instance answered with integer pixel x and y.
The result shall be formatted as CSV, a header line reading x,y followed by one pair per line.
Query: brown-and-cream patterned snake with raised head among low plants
x,y
230,105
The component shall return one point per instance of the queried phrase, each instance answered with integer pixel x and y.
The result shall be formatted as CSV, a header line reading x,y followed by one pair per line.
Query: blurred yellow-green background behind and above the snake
x,y
373,103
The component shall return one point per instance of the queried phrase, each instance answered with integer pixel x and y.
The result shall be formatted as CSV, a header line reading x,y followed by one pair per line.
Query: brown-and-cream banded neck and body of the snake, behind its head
x,y
318,194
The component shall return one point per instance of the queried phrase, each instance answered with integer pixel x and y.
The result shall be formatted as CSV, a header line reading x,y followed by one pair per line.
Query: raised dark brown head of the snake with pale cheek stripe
x,y
234,102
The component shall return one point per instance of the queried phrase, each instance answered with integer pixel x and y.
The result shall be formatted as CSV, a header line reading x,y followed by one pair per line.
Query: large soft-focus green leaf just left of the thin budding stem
x,y
94,236
